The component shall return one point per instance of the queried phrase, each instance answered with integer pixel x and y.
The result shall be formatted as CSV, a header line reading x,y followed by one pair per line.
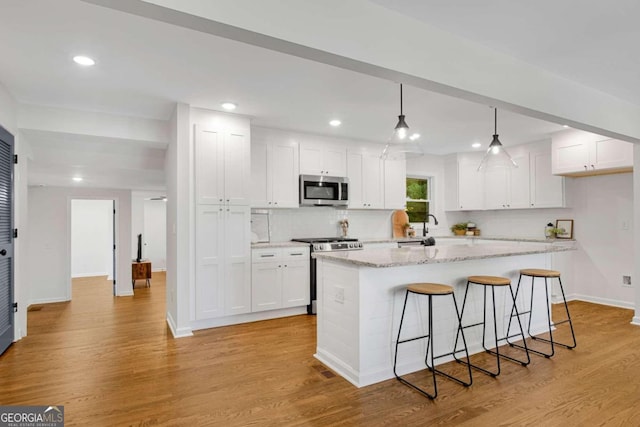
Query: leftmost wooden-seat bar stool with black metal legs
x,y
431,290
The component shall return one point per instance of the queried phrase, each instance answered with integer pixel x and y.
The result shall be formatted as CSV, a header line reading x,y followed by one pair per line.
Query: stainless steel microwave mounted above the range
x,y
320,190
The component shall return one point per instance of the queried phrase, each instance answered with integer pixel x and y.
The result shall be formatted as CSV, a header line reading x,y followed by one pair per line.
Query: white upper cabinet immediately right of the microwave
x,y
364,171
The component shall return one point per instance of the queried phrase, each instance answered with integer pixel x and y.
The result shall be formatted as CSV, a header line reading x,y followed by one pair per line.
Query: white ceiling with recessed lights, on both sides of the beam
x,y
144,67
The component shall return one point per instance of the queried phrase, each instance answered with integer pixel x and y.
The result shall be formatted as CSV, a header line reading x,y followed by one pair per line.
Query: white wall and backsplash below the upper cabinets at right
x,y
600,207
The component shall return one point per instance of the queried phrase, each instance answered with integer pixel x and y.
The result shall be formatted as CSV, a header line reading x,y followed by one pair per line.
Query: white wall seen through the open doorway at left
x,y
91,238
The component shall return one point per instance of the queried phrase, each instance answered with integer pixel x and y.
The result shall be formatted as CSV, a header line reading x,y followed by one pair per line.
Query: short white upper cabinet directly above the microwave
x,y
318,158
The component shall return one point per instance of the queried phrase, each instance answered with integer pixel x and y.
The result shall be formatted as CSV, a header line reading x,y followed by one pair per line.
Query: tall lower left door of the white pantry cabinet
x,y
209,275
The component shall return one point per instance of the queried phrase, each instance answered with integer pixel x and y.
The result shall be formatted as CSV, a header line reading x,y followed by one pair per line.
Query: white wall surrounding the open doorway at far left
x,y
49,240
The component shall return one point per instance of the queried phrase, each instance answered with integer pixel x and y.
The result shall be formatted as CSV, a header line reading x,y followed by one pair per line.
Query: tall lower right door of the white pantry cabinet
x,y
237,247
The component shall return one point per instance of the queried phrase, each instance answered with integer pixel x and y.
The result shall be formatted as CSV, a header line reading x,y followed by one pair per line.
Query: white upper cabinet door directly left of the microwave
x,y
283,174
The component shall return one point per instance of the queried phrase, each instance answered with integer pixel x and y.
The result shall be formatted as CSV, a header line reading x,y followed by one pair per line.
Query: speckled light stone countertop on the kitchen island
x,y
414,255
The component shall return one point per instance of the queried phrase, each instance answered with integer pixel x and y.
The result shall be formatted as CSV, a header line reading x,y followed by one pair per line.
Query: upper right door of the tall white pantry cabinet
x,y
237,169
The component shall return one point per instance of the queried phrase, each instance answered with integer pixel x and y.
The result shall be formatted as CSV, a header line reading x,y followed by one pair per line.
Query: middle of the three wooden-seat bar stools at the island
x,y
493,282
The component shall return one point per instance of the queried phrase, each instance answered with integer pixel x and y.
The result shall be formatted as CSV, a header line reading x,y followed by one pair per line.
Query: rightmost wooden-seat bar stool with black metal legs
x,y
545,274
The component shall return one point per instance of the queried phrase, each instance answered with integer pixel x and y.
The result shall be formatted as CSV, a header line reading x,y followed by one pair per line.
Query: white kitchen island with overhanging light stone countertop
x,y
360,296
